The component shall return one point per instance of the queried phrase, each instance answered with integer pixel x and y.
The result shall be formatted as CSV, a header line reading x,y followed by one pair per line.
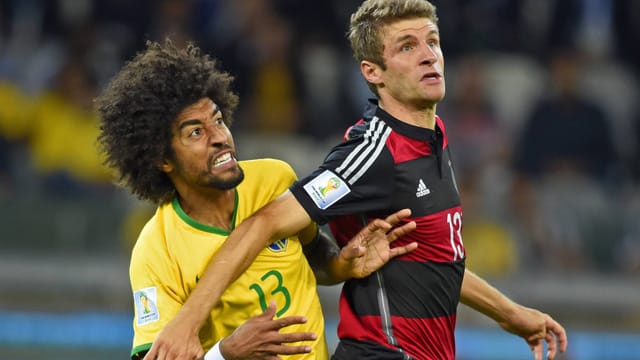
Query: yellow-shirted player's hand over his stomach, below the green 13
x,y
260,338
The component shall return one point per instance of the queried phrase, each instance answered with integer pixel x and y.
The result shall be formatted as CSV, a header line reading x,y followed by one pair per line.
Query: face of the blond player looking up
x,y
415,66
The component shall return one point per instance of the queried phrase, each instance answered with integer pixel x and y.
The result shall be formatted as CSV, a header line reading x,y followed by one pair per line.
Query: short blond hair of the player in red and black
x,y
367,22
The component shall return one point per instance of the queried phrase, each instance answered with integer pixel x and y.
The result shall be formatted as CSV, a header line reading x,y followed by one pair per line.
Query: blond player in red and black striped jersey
x,y
396,157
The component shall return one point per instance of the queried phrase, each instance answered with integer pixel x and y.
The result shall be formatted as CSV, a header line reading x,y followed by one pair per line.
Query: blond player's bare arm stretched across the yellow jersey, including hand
x,y
281,218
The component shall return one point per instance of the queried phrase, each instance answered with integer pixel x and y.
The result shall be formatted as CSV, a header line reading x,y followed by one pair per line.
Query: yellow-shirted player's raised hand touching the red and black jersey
x,y
369,250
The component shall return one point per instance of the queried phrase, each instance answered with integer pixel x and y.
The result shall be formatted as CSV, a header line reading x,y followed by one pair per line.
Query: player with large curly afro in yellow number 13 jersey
x,y
164,127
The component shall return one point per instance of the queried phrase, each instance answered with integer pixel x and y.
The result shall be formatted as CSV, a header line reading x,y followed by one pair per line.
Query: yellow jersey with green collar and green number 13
x,y
173,251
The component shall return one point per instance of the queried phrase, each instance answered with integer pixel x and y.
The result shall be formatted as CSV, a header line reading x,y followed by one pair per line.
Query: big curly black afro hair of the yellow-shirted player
x,y
141,102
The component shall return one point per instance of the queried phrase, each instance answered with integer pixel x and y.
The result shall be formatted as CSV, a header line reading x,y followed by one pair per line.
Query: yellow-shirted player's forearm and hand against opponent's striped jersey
x,y
365,253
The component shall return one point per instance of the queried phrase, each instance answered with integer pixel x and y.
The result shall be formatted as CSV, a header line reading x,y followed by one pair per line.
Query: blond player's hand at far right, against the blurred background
x,y
536,328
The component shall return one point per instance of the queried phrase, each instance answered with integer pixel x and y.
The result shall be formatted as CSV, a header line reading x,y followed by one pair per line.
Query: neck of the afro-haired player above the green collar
x,y
211,207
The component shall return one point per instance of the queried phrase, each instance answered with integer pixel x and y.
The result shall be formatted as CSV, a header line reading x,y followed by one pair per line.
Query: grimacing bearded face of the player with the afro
x,y
204,153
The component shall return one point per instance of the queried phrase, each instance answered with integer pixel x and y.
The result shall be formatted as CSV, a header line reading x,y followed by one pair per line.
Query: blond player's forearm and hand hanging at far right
x,y
532,325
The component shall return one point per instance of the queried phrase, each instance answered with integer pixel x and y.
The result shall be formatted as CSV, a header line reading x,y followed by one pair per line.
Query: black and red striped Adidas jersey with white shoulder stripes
x,y
407,309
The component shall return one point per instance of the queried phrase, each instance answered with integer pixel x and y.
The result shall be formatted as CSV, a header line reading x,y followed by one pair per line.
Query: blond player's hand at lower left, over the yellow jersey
x,y
176,342
